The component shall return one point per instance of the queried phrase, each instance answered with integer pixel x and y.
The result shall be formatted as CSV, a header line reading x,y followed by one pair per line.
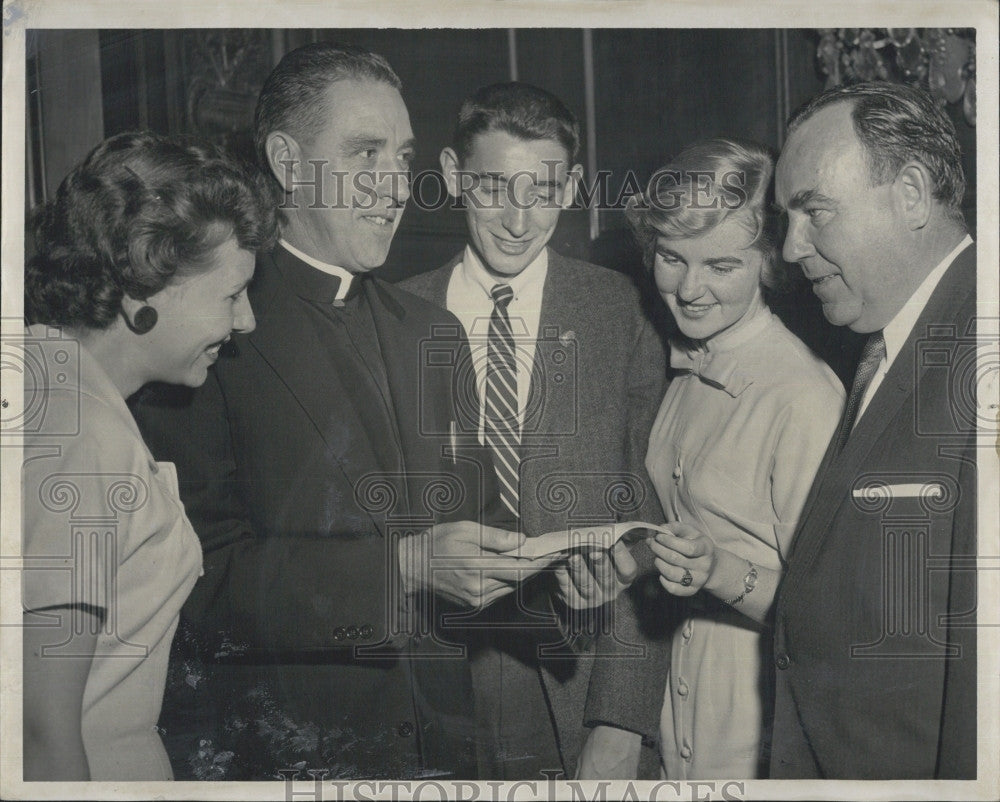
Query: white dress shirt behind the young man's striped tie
x,y
469,299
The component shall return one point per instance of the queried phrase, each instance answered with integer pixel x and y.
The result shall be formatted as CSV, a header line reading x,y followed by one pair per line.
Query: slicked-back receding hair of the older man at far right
x,y
898,123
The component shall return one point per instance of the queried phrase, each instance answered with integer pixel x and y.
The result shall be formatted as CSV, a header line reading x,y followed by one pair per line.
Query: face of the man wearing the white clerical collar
x,y
362,157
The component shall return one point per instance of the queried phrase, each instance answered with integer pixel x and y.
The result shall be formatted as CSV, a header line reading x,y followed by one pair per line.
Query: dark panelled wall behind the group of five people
x,y
650,92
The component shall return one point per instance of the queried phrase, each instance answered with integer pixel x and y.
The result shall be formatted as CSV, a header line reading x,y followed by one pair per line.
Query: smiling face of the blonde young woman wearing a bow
x,y
710,282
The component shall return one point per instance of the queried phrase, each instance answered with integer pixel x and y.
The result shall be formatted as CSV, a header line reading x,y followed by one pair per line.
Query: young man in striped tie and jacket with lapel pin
x,y
567,421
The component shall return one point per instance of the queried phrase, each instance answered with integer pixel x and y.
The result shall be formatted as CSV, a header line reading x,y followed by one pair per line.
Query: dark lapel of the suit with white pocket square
x,y
831,488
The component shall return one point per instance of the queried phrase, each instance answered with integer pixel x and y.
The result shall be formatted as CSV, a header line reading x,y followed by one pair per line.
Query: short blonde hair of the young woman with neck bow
x,y
707,183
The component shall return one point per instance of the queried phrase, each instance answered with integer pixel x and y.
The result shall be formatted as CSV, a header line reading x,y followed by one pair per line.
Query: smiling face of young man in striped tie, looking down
x,y
514,190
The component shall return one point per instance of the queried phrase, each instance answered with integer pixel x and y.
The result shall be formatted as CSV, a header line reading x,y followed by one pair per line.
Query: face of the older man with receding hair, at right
x,y
845,234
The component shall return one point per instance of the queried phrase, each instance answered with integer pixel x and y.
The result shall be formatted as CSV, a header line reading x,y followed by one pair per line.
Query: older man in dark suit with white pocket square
x,y
875,647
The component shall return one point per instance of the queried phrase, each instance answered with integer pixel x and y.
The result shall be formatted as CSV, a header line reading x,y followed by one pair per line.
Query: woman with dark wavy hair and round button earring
x,y
140,275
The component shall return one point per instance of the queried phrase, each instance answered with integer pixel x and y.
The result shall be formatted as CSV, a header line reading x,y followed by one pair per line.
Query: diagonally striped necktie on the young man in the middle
x,y
502,430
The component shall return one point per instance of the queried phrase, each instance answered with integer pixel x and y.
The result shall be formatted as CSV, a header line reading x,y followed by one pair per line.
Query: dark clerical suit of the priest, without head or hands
x,y
316,442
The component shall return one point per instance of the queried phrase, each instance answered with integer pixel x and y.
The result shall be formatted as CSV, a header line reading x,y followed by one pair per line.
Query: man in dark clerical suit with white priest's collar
x,y
322,464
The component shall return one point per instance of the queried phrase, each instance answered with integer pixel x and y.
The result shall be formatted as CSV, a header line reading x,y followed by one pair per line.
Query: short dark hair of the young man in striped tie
x,y
519,109
